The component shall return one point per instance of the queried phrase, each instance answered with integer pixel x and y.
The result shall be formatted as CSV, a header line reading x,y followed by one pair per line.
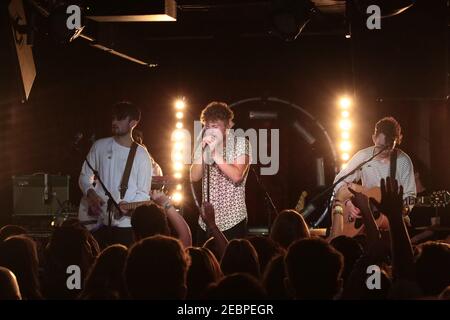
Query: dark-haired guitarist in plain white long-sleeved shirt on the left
x,y
111,157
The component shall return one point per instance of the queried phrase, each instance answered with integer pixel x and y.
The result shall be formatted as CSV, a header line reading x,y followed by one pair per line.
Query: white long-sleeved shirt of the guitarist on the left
x,y
109,159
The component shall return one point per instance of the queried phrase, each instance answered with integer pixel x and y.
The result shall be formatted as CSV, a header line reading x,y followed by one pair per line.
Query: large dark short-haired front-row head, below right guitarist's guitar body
x,y
313,268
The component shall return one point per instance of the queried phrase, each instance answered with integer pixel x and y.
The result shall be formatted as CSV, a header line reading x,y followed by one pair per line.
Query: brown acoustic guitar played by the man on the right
x,y
353,227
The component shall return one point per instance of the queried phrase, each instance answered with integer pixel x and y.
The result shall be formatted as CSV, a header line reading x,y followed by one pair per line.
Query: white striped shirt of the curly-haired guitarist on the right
x,y
371,173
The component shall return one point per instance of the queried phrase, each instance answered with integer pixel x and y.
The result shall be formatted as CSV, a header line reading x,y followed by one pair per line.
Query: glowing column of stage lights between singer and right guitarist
x,y
345,126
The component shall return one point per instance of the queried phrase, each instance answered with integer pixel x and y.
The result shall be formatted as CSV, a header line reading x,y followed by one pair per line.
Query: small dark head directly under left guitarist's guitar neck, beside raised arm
x,y
148,221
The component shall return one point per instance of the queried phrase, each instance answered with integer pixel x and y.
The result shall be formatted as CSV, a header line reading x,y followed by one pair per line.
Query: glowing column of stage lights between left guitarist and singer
x,y
178,149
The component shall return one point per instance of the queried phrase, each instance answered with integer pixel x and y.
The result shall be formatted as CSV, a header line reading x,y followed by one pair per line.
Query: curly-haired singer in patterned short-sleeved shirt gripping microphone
x,y
223,170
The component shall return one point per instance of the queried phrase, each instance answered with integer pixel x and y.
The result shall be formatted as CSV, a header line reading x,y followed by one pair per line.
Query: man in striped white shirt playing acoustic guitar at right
x,y
390,162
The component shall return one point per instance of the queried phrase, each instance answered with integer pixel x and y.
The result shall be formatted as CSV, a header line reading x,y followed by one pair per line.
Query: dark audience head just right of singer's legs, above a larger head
x,y
288,227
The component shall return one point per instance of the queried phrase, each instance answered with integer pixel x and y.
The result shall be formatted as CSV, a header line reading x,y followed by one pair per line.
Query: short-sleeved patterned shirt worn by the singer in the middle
x,y
227,197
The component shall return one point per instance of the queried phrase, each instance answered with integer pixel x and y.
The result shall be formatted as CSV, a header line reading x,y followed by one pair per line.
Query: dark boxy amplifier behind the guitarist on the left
x,y
40,194
